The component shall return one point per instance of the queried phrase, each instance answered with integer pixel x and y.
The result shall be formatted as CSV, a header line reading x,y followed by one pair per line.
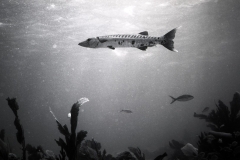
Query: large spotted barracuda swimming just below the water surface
x,y
141,41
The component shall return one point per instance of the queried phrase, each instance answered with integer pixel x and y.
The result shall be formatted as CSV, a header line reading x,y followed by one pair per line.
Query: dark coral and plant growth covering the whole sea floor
x,y
222,142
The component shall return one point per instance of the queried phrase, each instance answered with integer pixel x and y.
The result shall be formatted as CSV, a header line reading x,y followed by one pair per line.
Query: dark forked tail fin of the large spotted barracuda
x,y
168,40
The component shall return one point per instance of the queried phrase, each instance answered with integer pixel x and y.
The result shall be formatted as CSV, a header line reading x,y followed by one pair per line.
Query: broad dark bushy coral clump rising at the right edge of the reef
x,y
222,142
